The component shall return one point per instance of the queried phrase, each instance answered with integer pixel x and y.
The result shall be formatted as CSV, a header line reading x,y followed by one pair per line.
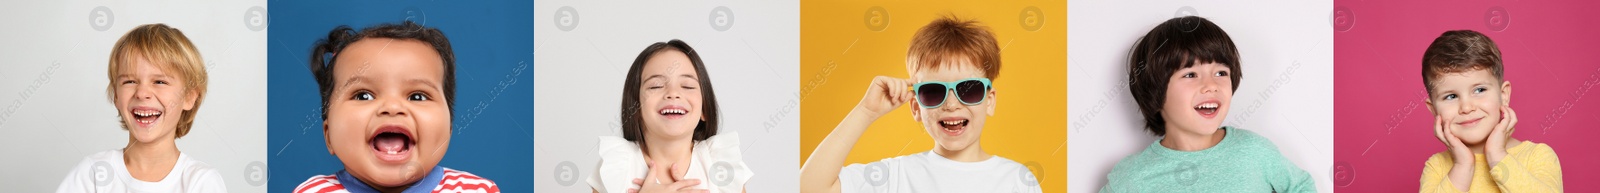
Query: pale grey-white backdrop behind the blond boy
x,y
54,106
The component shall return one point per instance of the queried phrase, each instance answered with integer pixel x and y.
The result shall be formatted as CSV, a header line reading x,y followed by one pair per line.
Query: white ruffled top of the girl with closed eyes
x,y
716,162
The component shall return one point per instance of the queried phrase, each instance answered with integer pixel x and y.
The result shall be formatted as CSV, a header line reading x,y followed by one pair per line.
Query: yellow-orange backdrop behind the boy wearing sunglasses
x,y
844,44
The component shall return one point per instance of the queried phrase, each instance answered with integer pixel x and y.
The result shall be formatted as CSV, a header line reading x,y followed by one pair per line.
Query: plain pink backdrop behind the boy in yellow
x,y
1383,130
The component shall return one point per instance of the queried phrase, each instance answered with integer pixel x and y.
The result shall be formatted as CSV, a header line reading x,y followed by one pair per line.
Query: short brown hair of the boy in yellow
x,y
1460,52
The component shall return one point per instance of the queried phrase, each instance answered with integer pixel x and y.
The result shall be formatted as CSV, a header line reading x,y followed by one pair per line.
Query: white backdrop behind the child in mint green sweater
x,y
1286,93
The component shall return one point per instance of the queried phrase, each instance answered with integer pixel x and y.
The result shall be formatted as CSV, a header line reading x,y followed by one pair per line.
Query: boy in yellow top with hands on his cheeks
x,y
1473,117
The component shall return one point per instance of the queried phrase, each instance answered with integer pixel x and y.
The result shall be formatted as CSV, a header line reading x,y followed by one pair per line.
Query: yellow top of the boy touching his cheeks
x,y
1527,168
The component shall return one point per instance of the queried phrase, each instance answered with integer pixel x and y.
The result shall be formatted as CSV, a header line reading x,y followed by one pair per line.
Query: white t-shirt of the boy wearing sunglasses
x,y
930,173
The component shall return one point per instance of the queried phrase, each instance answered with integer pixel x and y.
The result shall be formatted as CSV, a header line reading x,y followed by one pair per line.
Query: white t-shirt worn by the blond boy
x,y
106,173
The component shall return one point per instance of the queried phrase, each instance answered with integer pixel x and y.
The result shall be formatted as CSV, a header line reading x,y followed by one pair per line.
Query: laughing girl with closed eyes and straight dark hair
x,y
670,132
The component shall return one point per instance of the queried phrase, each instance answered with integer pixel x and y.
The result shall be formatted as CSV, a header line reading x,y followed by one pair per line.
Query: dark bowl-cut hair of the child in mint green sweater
x,y
1174,45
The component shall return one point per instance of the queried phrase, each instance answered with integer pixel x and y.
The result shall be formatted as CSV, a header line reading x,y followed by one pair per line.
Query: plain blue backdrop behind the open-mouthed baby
x,y
494,120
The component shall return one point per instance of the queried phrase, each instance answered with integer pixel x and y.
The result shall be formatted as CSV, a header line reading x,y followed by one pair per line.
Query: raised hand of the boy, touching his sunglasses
x,y
884,96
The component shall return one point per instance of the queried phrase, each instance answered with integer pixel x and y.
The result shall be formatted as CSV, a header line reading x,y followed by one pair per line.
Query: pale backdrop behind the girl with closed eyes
x,y
585,49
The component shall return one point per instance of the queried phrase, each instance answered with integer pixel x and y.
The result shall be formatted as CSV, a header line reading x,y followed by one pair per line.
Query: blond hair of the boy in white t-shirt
x,y
170,50
